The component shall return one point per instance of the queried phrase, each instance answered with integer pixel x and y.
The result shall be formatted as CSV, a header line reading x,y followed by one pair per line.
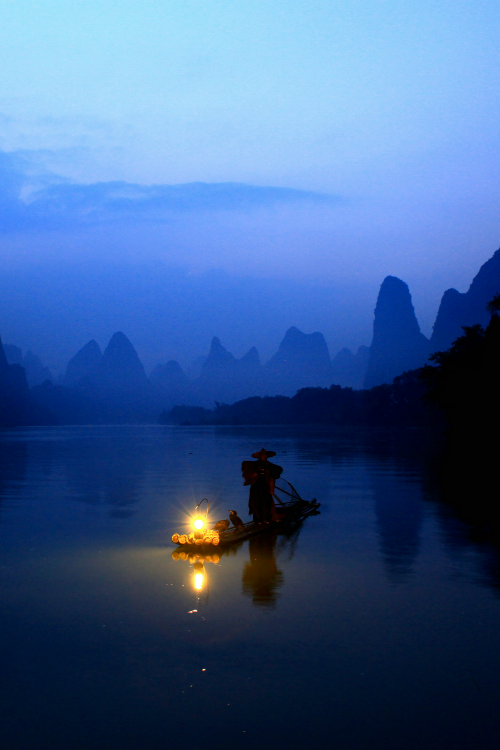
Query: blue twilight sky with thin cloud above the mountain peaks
x,y
317,146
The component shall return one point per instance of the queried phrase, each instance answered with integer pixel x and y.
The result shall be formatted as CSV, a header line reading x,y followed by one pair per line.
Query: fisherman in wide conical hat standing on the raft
x,y
261,476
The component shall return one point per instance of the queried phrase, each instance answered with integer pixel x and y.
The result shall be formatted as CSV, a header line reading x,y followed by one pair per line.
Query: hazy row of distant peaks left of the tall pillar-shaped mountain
x,y
112,386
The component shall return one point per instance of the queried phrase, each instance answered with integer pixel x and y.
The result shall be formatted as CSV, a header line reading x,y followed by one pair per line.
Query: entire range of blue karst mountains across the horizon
x,y
112,385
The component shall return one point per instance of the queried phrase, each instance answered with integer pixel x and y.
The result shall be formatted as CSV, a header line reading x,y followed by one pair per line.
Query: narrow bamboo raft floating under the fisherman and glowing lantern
x,y
294,509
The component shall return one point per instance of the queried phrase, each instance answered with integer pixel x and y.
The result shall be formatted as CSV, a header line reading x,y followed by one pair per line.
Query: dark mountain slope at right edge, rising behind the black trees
x,y
467,309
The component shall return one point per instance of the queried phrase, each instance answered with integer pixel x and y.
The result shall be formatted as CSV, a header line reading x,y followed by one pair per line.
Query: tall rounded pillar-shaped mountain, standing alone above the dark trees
x,y
397,345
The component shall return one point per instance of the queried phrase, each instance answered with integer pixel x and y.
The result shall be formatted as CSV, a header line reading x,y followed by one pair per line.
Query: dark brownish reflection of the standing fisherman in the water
x,y
261,576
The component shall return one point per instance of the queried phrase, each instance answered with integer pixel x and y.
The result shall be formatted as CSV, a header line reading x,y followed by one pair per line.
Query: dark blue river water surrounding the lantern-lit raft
x,y
374,625
